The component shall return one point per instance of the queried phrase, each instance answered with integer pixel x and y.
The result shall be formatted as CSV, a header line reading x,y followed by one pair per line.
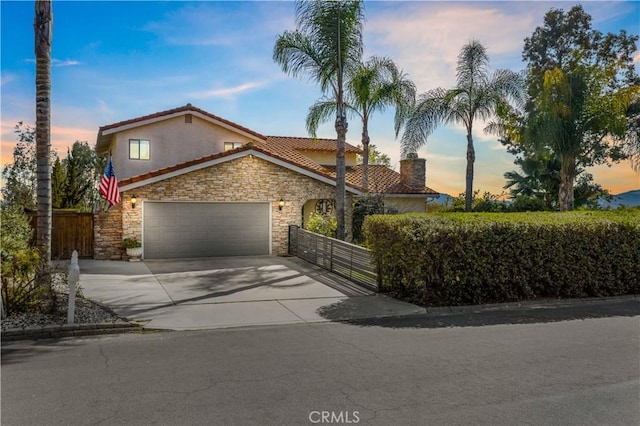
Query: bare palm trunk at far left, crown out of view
x,y
43,24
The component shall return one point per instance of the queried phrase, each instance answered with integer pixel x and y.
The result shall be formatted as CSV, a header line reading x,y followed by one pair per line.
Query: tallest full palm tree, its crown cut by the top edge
x,y
326,45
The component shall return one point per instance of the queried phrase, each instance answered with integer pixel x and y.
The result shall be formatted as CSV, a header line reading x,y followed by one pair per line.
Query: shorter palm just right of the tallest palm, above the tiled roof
x,y
373,86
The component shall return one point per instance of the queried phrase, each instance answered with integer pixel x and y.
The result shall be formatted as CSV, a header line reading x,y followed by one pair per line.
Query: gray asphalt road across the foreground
x,y
469,369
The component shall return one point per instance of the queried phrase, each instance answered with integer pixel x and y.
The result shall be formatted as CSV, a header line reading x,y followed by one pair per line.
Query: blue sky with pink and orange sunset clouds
x,y
112,61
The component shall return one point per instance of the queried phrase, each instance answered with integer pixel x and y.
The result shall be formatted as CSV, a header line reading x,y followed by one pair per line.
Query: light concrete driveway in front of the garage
x,y
193,294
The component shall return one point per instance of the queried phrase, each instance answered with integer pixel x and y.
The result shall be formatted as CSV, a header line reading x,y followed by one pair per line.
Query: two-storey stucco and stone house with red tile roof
x,y
196,185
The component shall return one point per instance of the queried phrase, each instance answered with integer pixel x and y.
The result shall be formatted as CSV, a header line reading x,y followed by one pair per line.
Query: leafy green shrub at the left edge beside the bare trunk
x,y
25,280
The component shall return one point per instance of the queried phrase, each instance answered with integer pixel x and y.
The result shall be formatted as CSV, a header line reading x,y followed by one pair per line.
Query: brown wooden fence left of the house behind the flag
x,y
70,230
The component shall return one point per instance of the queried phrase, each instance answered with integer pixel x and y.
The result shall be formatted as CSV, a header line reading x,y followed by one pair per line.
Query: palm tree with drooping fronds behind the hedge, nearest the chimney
x,y
476,96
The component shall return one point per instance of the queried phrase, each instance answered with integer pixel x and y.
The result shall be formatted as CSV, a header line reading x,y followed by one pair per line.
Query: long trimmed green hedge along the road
x,y
473,258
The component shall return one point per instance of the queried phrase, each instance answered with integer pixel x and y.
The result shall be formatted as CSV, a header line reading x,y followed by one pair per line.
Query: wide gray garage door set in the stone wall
x,y
182,230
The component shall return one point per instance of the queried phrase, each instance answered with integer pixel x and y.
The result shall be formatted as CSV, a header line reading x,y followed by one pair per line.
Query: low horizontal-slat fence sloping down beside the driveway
x,y
348,260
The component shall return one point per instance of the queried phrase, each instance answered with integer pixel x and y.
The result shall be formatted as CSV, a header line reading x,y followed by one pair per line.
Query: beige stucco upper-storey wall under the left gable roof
x,y
172,141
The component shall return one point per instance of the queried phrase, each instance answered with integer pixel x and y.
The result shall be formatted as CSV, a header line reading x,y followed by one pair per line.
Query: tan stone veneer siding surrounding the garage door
x,y
248,178
